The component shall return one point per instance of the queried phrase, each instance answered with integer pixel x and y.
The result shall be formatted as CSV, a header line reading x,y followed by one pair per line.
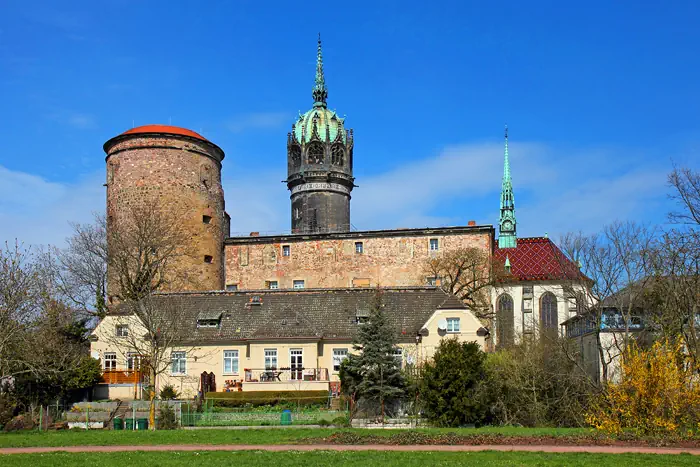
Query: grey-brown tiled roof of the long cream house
x,y
302,314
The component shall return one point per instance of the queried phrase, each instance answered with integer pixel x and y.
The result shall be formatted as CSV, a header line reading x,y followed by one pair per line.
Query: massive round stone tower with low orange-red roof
x,y
179,171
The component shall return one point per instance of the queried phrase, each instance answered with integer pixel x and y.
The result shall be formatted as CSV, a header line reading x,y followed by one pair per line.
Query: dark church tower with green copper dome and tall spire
x,y
319,165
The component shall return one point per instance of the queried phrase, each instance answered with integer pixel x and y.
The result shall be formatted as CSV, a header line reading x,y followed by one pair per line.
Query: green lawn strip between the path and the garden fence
x,y
254,436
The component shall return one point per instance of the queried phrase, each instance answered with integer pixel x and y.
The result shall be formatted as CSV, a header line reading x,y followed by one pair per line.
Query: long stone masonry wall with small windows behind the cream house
x,y
391,259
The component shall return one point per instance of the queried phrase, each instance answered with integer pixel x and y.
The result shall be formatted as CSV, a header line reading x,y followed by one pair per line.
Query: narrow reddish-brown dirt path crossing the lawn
x,y
360,447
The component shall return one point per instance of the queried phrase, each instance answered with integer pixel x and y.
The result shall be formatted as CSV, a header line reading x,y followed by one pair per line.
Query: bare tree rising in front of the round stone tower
x,y
145,245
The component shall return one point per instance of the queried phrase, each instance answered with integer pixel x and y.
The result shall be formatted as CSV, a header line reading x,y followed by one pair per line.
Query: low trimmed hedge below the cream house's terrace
x,y
241,398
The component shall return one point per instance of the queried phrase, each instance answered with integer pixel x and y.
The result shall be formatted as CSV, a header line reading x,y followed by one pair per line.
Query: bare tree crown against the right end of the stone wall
x,y
467,273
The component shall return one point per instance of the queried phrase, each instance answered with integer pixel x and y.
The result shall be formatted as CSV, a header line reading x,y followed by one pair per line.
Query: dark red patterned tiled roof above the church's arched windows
x,y
537,259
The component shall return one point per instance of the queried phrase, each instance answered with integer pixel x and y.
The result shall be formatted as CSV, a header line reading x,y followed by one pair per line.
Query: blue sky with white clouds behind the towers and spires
x,y
600,97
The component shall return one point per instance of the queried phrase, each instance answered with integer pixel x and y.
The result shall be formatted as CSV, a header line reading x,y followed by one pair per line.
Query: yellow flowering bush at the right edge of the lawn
x,y
658,394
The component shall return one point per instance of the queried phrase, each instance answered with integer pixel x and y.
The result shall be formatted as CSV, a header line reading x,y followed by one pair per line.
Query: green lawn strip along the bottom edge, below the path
x,y
336,459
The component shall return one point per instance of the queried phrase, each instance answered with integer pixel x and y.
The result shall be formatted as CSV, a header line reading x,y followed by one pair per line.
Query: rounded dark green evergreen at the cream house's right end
x,y
452,382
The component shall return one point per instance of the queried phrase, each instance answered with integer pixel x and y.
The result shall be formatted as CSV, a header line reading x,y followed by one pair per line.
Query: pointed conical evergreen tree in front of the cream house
x,y
372,374
